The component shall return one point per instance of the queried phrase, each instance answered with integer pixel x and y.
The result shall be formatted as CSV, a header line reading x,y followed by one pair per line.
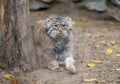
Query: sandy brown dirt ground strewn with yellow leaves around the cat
x,y
93,34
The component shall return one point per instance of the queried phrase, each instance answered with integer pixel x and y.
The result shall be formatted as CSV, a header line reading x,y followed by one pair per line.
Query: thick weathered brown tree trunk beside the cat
x,y
16,40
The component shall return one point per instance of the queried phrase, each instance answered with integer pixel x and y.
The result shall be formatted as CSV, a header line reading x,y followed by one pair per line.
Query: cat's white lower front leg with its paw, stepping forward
x,y
69,63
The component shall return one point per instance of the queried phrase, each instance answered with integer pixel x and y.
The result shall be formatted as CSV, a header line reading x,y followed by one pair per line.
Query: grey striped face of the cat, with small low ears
x,y
58,27
